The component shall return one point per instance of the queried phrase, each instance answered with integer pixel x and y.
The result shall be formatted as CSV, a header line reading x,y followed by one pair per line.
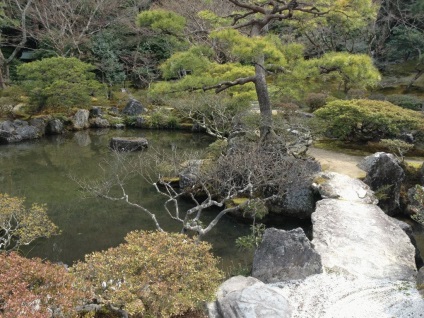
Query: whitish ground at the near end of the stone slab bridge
x,y
335,296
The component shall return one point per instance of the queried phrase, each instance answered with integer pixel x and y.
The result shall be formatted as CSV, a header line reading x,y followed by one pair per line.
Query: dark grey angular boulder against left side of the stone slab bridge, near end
x,y
285,255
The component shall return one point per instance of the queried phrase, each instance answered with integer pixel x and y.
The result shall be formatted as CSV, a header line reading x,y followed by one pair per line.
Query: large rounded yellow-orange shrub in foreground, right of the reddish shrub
x,y
155,274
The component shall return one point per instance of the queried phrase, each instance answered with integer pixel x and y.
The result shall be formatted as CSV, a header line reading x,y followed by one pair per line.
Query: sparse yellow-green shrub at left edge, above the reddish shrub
x,y
20,225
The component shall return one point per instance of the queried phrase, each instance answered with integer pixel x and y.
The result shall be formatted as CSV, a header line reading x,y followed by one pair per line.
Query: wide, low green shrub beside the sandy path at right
x,y
364,120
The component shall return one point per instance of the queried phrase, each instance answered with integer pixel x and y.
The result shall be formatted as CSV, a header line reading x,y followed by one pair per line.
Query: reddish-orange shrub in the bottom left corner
x,y
36,289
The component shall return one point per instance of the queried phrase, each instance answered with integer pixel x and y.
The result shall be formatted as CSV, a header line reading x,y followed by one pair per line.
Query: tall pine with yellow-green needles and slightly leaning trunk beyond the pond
x,y
249,53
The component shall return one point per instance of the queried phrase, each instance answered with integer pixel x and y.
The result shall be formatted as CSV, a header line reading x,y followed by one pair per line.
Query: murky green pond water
x,y
40,171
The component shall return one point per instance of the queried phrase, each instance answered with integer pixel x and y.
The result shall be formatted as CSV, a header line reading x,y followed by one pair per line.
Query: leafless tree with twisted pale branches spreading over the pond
x,y
250,171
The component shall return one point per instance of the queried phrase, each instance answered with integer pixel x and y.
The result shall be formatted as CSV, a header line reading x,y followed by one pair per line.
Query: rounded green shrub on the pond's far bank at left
x,y
59,81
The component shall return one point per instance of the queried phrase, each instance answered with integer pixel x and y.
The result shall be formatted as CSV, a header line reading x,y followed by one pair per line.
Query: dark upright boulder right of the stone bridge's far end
x,y
384,174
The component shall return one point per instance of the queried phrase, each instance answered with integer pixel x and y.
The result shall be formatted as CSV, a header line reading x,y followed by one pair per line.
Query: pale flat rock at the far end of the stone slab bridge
x,y
332,185
